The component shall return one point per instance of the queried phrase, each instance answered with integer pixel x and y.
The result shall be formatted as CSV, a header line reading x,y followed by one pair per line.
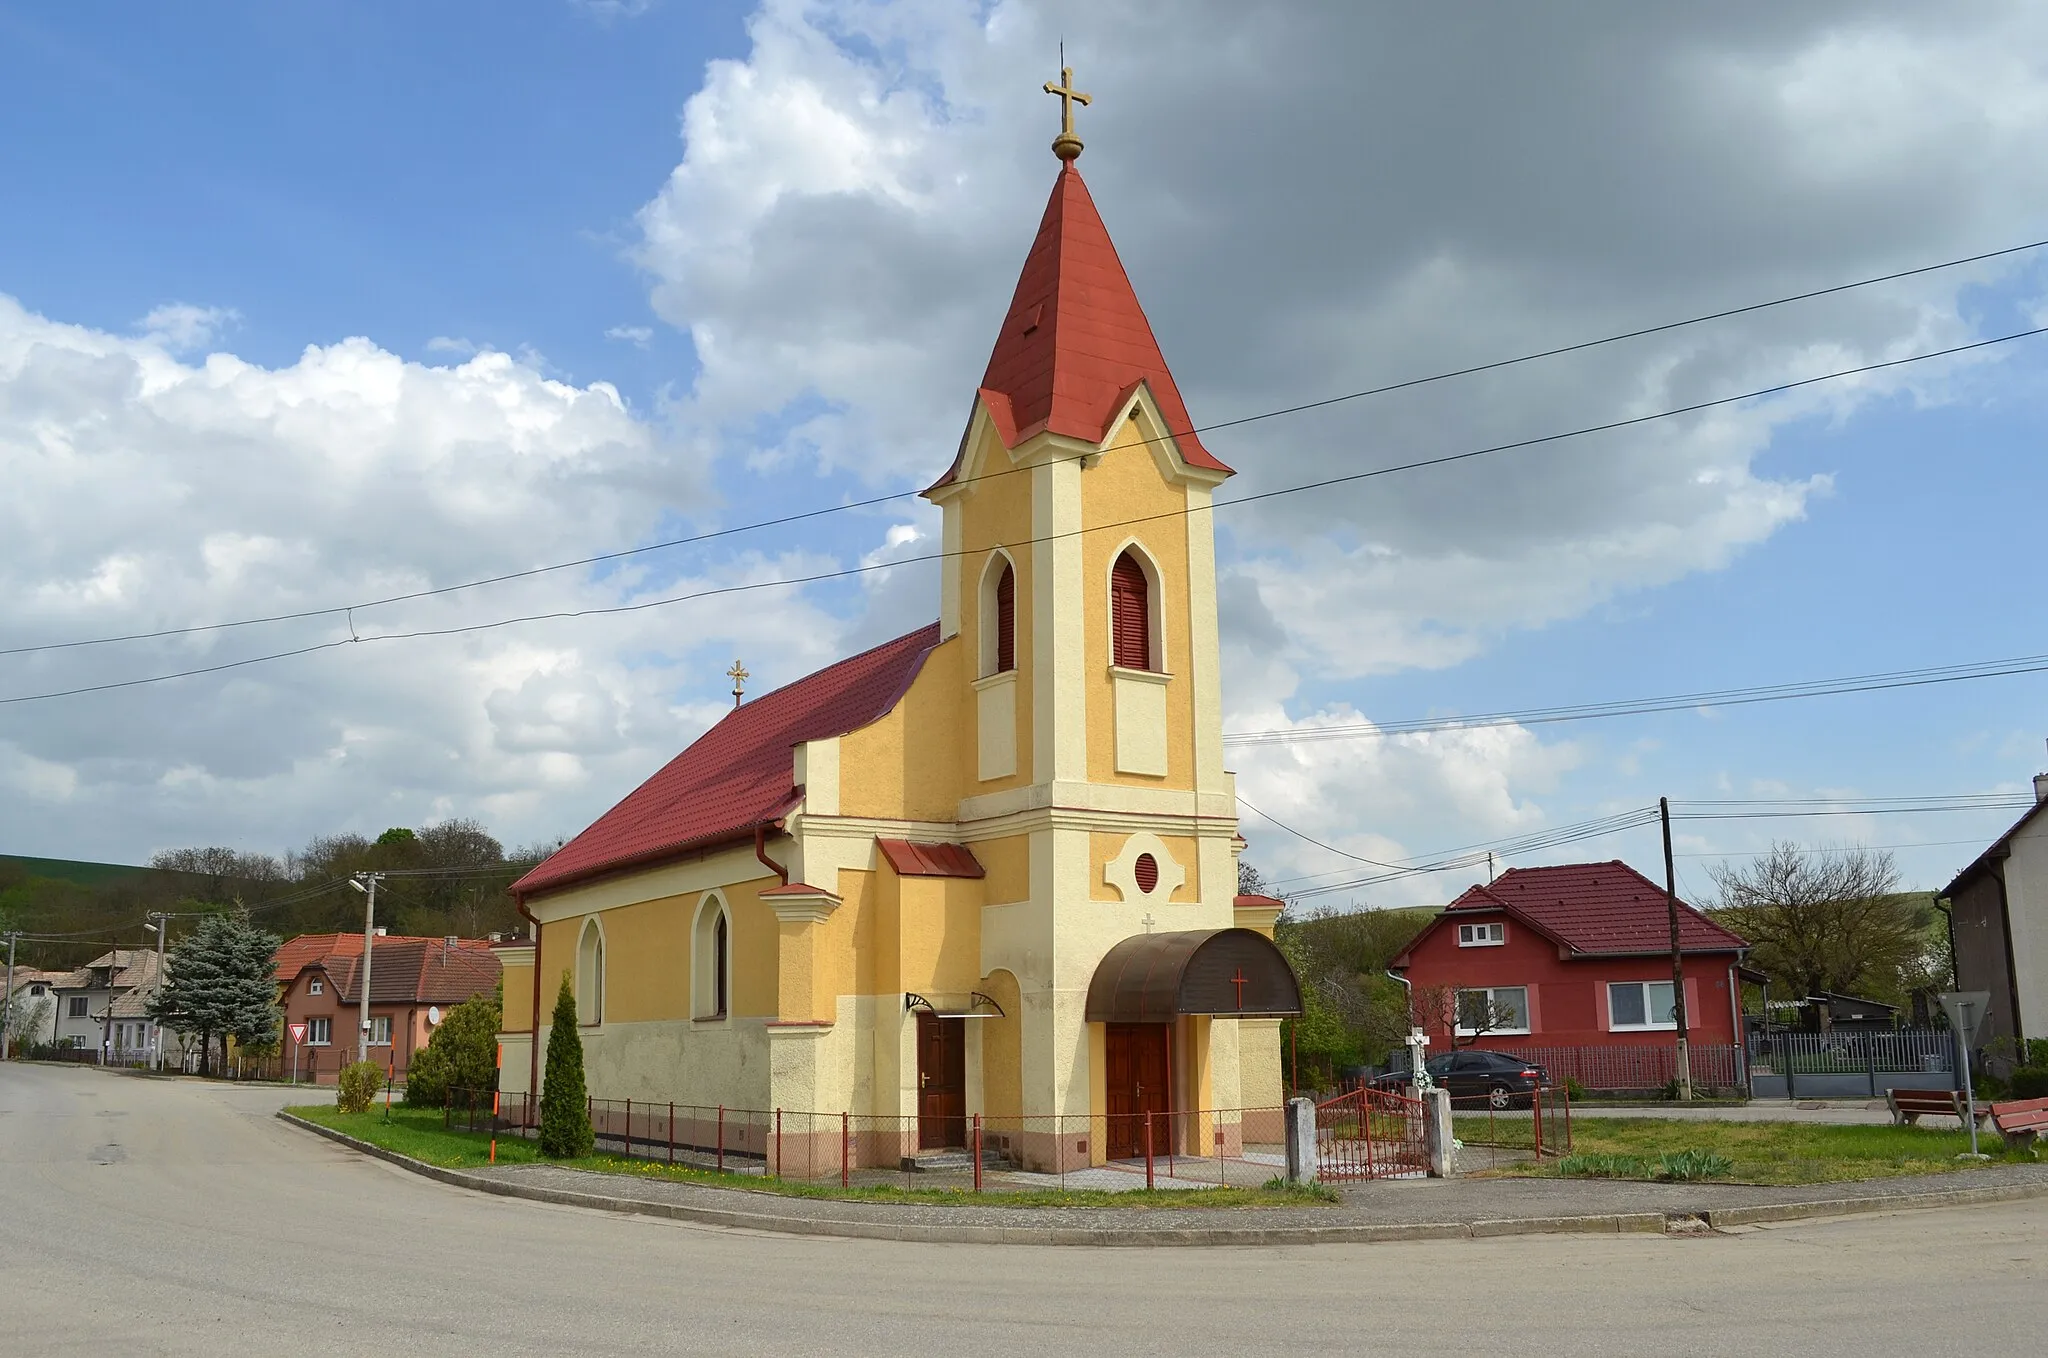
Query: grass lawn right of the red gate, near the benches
x,y
1787,1152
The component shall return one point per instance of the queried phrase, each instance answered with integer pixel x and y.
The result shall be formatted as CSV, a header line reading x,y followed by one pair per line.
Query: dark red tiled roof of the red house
x,y
1598,908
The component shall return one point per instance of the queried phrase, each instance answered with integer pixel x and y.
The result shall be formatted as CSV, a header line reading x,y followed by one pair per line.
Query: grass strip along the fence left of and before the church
x,y
419,1134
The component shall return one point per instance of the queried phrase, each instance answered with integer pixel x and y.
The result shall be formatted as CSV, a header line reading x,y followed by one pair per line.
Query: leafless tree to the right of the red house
x,y
1826,921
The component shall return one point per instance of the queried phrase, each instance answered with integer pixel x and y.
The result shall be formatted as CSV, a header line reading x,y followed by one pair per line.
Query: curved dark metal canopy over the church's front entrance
x,y
1156,978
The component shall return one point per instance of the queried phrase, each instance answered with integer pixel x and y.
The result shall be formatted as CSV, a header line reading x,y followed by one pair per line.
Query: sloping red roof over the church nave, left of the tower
x,y
740,773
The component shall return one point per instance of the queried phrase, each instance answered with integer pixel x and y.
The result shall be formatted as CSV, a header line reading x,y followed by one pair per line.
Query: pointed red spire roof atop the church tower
x,y
1076,343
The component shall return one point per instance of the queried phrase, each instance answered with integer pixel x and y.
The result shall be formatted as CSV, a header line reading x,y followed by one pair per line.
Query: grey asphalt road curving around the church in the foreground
x,y
175,1218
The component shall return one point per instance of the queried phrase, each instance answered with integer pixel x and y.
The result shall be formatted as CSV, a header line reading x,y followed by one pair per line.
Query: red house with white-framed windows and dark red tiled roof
x,y
1568,962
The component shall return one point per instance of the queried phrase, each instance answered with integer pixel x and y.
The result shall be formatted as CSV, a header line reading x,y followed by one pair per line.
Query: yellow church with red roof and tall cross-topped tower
x,y
986,872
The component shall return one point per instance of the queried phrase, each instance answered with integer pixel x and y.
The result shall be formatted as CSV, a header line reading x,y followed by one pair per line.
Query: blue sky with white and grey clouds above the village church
x,y
783,235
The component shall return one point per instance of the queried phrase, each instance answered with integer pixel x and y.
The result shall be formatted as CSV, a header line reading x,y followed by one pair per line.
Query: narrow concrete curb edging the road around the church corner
x,y
1607,1224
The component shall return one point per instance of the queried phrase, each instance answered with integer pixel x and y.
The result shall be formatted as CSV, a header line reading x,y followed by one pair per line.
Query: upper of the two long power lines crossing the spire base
x,y
906,495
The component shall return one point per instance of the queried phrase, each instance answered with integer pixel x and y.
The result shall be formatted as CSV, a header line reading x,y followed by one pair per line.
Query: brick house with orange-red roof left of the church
x,y
413,984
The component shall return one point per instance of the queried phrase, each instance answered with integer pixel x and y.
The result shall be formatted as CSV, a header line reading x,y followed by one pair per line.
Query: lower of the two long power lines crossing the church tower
x,y
1052,538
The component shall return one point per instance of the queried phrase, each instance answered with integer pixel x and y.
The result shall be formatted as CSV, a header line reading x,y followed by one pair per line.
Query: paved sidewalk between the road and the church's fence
x,y
1398,1210
